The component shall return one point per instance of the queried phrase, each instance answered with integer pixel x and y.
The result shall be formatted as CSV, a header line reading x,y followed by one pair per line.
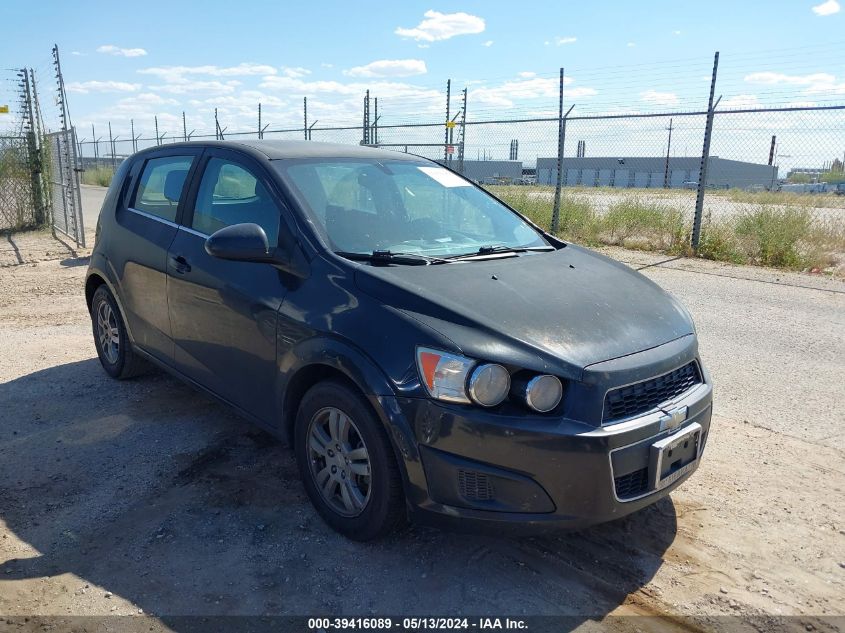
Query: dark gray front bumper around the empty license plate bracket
x,y
532,470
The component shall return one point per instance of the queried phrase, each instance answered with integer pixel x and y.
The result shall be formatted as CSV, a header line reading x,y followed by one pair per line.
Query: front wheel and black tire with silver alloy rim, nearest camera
x,y
347,463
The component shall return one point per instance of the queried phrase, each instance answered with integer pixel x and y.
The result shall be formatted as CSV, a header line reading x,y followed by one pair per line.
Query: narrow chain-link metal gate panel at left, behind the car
x,y
64,197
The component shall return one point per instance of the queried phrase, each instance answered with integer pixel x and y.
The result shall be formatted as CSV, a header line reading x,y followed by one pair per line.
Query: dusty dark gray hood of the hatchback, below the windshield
x,y
553,311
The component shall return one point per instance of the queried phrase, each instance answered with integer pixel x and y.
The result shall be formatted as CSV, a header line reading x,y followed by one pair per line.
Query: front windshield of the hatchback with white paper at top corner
x,y
405,207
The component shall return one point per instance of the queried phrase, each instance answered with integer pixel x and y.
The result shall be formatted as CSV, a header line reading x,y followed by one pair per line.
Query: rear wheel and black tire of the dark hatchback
x,y
111,339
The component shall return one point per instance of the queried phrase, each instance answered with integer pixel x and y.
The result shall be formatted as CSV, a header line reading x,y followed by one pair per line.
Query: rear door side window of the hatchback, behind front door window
x,y
161,186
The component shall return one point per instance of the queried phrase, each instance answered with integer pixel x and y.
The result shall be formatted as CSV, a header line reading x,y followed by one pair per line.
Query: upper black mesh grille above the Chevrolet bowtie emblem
x,y
632,400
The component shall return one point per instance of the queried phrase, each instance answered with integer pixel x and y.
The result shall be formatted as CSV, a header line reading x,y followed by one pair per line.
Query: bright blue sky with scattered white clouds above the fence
x,y
162,58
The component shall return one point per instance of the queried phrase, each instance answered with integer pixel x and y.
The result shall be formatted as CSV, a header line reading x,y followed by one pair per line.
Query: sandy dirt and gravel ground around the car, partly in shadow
x,y
145,497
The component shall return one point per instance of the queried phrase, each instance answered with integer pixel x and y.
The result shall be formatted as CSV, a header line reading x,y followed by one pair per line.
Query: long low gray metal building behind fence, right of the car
x,y
650,172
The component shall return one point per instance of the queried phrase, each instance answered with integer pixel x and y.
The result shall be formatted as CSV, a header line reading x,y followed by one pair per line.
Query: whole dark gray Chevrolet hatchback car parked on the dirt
x,y
425,349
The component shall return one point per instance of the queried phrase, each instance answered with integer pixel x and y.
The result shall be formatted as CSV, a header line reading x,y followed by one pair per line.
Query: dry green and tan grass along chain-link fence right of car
x,y
774,231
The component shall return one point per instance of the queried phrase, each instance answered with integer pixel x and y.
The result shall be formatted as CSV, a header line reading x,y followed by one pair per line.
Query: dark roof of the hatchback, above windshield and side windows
x,y
274,149
